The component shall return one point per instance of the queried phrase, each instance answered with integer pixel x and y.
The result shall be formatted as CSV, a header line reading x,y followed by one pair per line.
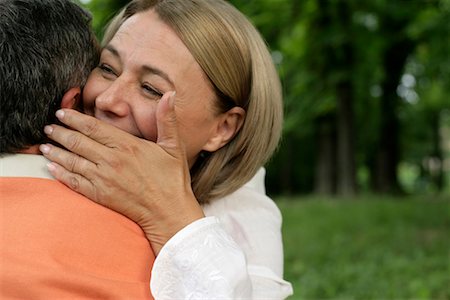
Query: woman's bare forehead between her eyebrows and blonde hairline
x,y
145,41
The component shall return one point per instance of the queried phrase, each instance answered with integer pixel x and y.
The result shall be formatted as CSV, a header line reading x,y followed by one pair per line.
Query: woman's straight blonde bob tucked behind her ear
x,y
236,60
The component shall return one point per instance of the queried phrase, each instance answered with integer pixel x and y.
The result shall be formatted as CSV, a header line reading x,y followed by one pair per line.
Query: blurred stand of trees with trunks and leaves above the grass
x,y
345,67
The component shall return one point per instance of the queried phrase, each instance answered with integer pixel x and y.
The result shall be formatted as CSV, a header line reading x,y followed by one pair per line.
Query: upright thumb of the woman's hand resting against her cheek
x,y
168,137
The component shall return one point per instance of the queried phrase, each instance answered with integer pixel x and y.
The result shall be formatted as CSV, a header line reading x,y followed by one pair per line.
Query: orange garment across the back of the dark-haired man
x,y
56,244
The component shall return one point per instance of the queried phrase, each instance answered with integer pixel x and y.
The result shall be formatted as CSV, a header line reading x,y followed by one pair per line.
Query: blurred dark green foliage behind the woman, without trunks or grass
x,y
310,39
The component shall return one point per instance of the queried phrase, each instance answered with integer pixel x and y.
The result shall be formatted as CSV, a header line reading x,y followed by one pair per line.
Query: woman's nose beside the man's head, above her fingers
x,y
113,100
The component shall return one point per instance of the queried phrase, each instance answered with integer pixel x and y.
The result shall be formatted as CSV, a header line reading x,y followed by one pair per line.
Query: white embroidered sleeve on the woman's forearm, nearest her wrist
x,y
200,262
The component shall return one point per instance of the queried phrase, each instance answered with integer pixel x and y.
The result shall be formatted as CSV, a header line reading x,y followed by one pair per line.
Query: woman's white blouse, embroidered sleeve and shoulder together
x,y
236,253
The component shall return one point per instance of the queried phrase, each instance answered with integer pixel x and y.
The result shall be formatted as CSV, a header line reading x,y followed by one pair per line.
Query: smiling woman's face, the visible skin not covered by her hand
x,y
144,60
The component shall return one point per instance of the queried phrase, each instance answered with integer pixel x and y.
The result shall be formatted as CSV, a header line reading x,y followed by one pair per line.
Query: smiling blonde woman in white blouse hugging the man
x,y
196,81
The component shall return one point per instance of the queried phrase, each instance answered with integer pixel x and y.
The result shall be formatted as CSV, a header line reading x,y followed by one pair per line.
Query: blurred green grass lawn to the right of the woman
x,y
371,248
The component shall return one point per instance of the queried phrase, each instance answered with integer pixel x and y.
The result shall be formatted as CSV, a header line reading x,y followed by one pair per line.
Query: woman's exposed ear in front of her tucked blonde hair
x,y
228,125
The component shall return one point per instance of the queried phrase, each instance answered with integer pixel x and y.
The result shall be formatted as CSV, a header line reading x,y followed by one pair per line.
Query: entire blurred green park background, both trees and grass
x,y
362,175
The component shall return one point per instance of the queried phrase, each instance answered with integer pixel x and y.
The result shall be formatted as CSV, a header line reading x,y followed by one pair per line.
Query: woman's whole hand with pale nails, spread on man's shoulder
x,y
145,181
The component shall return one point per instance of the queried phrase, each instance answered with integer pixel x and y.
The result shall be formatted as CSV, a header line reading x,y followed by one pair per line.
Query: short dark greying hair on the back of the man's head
x,y
46,47
